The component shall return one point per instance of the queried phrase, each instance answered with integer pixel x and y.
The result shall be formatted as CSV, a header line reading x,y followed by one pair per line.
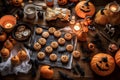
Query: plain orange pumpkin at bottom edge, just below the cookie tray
x,y
46,72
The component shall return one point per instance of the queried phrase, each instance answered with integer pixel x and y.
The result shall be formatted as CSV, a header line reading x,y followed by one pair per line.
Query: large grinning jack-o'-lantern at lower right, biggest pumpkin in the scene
x,y
102,64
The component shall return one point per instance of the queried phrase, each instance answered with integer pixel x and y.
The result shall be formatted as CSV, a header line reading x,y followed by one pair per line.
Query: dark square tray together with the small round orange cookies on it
x,y
53,47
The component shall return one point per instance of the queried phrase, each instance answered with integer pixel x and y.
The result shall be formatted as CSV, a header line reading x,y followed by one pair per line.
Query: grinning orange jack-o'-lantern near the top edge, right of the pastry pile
x,y
84,9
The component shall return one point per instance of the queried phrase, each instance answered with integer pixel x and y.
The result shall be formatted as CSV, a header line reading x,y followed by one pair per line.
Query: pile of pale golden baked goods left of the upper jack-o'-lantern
x,y
62,13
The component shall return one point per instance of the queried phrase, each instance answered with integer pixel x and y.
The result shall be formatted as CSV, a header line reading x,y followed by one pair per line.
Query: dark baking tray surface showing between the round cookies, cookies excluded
x,y
61,50
